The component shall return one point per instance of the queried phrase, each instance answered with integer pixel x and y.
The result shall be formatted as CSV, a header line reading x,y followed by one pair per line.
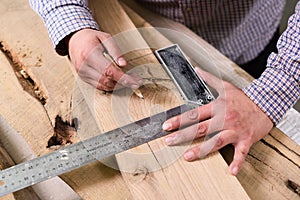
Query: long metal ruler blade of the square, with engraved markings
x,y
84,152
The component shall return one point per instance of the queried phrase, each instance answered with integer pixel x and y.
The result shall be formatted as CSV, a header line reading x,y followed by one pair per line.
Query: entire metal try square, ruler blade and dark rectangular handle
x,y
109,143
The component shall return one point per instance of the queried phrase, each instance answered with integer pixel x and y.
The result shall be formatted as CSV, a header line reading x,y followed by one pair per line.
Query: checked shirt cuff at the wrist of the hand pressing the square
x,y
275,92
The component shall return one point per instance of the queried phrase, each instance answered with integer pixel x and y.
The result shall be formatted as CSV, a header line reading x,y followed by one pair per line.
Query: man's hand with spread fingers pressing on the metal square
x,y
237,119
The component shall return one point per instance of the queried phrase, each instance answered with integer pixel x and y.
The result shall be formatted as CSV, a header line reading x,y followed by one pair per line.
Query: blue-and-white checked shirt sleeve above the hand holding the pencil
x,y
62,18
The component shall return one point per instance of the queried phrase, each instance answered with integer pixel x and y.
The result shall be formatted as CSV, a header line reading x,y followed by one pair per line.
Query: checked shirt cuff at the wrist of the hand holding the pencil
x,y
65,20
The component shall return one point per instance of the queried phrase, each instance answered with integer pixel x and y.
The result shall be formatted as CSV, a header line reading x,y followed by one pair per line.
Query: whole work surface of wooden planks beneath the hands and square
x,y
38,88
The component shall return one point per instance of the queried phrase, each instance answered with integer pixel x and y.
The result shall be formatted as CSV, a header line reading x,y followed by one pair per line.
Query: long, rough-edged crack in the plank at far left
x,y
27,81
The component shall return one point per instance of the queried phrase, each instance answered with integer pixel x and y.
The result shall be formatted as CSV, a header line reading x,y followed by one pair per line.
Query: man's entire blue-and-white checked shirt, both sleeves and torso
x,y
240,29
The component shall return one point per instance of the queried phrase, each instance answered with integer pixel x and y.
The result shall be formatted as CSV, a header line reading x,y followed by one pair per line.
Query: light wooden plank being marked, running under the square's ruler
x,y
145,170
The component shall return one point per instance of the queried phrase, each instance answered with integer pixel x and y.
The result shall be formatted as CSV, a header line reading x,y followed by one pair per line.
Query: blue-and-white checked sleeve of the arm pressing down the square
x,y
278,88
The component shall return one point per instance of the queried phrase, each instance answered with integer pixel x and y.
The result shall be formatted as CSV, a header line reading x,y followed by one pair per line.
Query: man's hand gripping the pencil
x,y
86,49
